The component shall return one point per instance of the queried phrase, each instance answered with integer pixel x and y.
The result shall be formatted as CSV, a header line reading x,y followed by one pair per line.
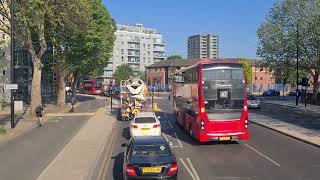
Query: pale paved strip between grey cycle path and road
x,y
80,156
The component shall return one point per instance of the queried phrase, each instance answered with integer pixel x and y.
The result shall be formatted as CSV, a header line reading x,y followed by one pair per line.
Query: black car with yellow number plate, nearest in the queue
x,y
149,158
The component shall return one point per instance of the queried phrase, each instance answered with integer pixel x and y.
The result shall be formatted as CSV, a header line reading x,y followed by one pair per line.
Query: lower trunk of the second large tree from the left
x,y
61,89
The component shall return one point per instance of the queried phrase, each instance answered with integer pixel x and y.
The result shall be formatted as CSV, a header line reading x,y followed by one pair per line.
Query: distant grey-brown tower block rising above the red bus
x,y
203,46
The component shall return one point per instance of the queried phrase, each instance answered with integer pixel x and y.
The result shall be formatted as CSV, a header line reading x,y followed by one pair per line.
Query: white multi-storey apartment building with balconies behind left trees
x,y
137,46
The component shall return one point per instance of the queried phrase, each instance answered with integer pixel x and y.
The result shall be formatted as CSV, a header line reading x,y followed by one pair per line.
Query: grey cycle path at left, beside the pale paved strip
x,y
26,156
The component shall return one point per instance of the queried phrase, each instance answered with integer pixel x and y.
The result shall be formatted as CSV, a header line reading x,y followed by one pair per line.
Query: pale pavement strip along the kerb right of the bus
x,y
307,135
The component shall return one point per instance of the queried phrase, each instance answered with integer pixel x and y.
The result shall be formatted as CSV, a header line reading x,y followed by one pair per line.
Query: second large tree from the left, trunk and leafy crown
x,y
63,19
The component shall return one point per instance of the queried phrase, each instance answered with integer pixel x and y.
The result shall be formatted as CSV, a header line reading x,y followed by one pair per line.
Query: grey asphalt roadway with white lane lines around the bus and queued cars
x,y
268,155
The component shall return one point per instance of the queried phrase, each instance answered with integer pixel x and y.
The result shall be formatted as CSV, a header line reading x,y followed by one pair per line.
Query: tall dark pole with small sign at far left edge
x,y
11,63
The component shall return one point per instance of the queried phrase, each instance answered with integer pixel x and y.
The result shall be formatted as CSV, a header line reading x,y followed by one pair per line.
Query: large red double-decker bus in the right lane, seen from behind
x,y
211,101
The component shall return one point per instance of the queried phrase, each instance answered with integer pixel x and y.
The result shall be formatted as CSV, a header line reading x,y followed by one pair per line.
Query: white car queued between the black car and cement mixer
x,y
145,124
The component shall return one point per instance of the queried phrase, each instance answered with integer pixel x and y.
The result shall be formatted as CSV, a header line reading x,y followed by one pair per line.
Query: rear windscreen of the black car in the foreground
x,y
150,150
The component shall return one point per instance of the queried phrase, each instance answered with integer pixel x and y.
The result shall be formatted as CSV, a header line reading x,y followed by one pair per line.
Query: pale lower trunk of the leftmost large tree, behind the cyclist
x,y
36,84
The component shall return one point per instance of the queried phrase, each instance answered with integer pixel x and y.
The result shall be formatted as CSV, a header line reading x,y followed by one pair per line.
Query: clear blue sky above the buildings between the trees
x,y
235,21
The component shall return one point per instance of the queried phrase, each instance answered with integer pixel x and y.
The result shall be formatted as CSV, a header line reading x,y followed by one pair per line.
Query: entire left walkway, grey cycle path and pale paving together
x,y
65,144
